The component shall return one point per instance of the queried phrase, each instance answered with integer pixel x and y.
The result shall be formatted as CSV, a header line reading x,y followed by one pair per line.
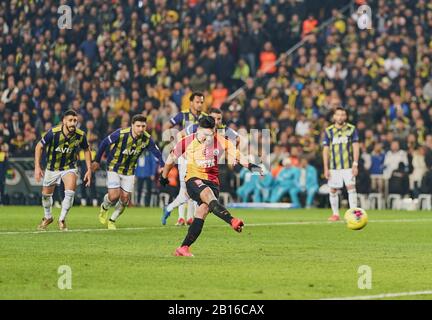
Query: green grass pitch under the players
x,y
281,254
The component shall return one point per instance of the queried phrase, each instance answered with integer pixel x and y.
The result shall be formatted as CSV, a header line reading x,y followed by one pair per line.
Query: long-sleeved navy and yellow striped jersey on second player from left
x,y
124,150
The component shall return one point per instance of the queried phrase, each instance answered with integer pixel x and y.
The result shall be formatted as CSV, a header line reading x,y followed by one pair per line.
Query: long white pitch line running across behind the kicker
x,y
270,224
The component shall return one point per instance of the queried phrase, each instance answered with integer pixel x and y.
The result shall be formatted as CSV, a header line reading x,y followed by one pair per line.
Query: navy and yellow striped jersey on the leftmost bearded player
x,y
62,151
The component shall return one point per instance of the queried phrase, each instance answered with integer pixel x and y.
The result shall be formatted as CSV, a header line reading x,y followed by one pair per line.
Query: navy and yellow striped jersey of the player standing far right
x,y
340,141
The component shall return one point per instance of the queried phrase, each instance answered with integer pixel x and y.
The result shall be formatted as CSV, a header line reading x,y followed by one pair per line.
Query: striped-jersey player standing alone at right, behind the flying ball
x,y
341,154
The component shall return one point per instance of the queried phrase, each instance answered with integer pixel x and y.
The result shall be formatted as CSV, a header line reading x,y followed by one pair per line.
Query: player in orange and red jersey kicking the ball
x,y
202,150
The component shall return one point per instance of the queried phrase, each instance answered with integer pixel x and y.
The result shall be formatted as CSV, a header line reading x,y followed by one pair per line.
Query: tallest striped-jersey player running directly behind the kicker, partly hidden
x,y
184,119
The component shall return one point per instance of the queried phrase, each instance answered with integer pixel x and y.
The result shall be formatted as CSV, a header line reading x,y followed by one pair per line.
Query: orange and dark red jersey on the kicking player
x,y
203,159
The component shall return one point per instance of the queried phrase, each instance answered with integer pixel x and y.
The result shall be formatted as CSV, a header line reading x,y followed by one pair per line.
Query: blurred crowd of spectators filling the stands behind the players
x,y
128,57
